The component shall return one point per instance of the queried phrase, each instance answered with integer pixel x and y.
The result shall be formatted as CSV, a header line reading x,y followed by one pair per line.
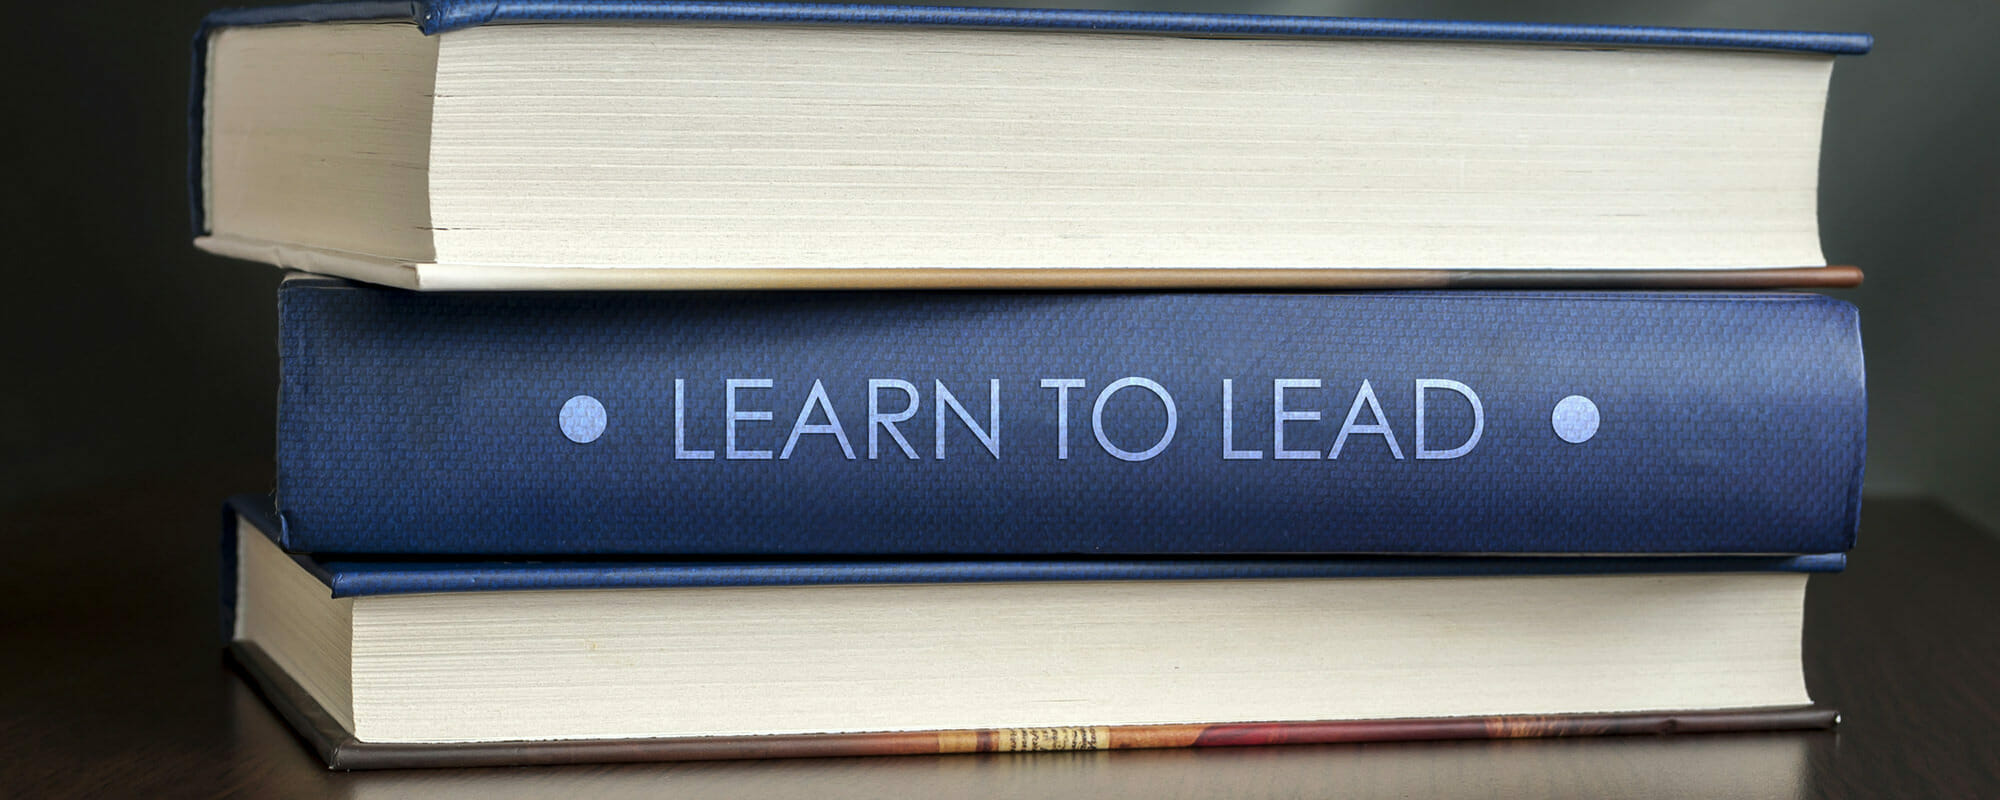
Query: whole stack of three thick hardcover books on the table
x,y
719,381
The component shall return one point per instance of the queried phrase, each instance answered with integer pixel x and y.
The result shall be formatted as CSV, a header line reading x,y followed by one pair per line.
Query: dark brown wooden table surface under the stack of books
x,y
113,685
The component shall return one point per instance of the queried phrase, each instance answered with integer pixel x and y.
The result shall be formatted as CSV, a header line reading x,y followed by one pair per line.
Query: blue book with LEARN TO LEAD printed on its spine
x,y
989,425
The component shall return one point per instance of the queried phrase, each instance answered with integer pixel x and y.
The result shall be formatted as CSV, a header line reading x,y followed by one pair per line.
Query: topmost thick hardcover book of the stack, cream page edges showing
x,y
701,145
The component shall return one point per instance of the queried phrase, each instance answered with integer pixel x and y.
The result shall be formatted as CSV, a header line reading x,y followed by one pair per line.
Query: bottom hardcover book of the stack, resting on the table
x,y
385,665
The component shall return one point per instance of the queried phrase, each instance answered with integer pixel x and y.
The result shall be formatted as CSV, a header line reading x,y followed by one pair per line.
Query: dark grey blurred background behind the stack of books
x,y
137,363
